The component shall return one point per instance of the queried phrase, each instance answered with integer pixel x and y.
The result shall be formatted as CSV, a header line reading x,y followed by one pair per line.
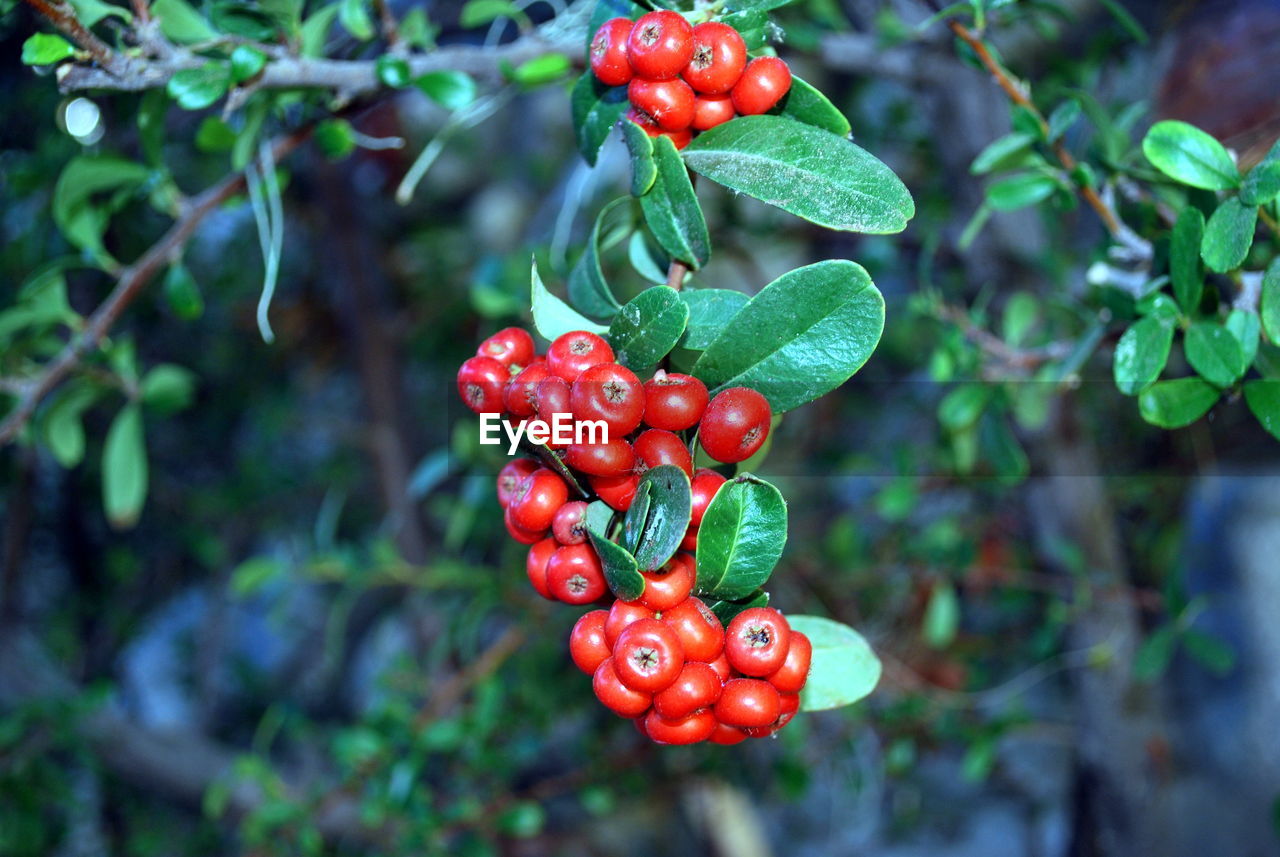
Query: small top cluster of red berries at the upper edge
x,y
683,79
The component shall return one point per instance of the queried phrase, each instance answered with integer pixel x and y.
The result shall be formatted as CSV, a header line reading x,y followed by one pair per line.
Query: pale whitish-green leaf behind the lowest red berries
x,y
844,668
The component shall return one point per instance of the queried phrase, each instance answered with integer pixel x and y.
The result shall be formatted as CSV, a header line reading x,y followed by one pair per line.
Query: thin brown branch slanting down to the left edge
x,y
130,285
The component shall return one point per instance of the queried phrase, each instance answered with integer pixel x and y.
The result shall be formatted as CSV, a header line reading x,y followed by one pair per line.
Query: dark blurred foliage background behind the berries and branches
x,y
317,639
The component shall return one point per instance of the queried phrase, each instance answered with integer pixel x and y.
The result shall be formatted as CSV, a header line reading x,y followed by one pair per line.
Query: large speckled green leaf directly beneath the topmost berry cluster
x,y
806,172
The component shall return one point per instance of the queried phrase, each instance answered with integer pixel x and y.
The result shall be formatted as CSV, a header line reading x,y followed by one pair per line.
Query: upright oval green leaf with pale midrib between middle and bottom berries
x,y
742,538
